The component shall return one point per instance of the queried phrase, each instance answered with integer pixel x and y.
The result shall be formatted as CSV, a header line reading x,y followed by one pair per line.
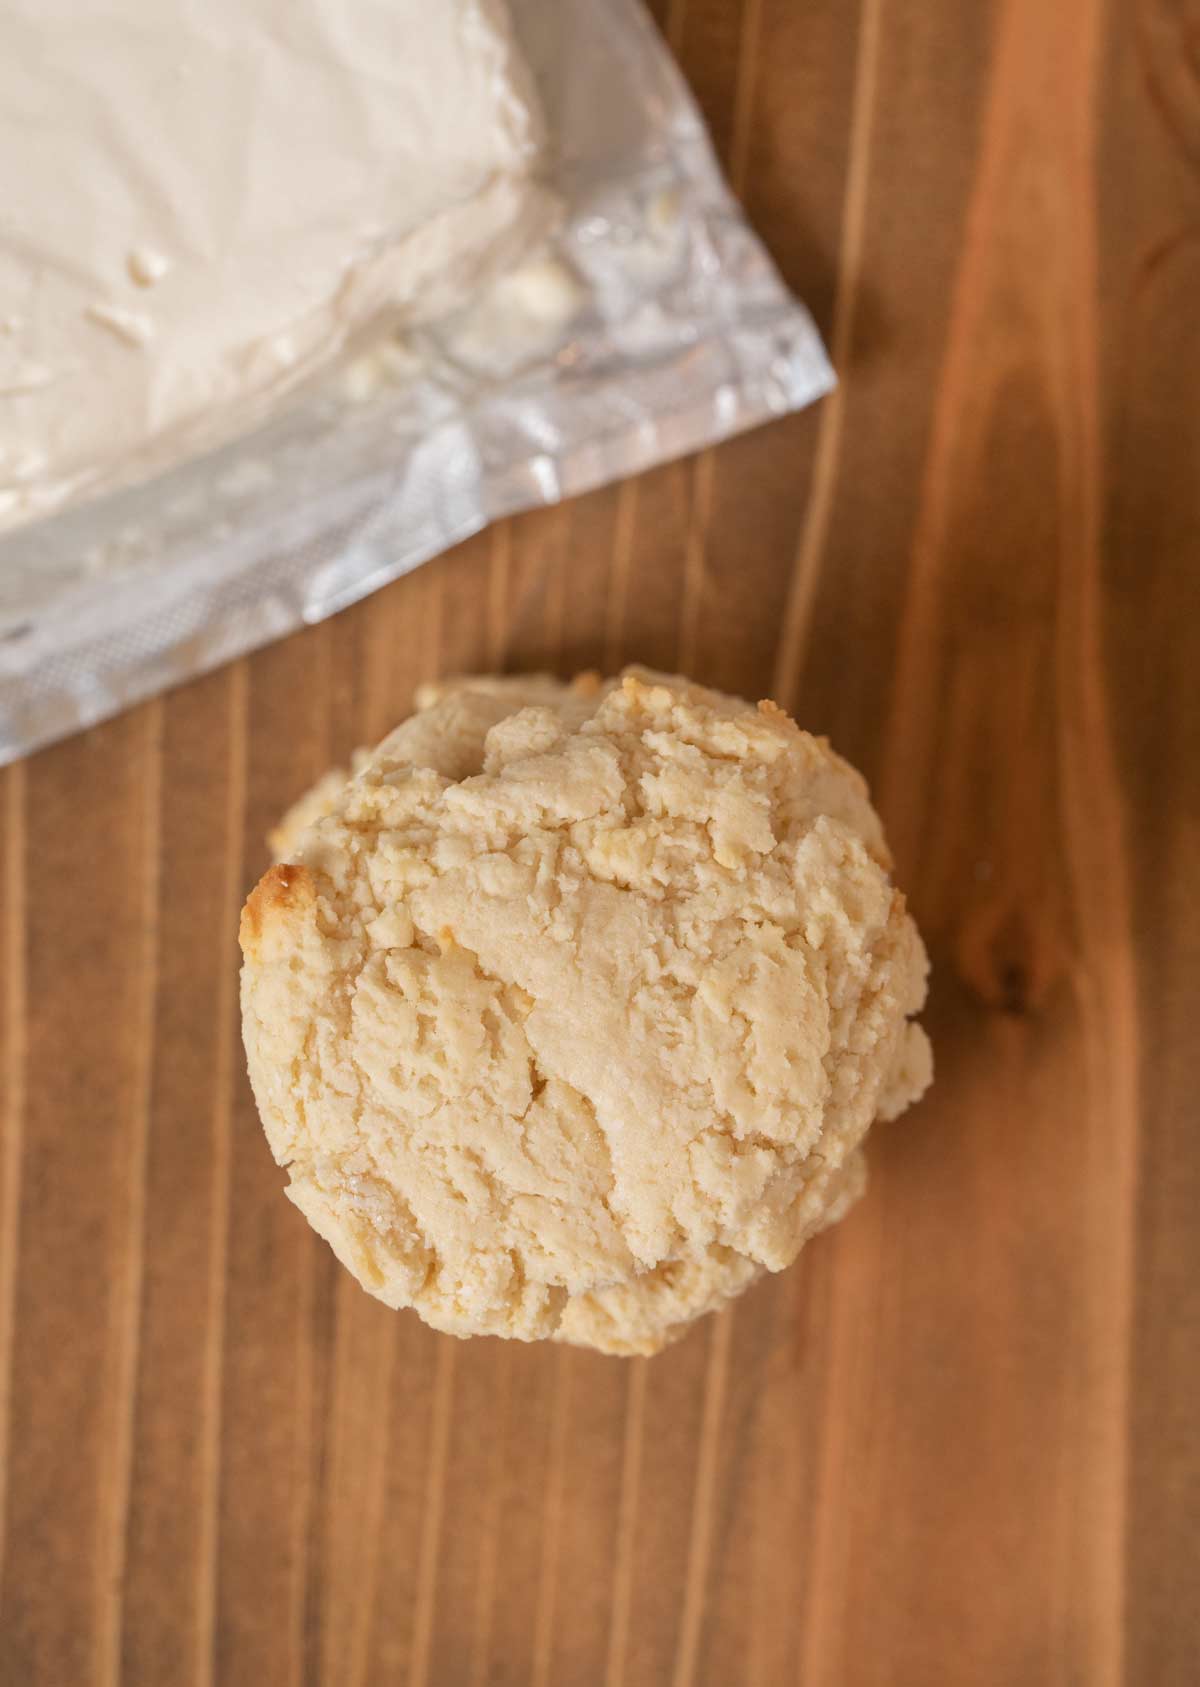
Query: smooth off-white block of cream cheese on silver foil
x,y
200,203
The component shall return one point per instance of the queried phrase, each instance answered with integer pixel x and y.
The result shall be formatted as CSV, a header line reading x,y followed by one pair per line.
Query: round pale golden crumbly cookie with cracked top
x,y
571,1010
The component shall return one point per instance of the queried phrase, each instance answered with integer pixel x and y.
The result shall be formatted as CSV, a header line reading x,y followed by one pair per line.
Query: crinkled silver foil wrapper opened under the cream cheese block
x,y
651,325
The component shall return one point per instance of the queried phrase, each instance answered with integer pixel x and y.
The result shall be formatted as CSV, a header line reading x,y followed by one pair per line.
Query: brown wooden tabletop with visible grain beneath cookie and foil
x,y
961,1442
